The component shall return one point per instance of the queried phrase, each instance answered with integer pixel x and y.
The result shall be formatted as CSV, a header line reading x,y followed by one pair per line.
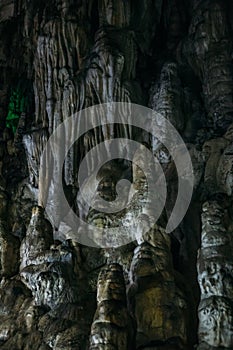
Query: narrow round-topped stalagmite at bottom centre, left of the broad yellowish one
x,y
111,328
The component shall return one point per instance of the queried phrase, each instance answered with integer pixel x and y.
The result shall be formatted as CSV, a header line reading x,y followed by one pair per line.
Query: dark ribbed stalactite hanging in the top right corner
x,y
208,51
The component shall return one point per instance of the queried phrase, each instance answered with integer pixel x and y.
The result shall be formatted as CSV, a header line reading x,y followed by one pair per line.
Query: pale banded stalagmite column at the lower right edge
x,y
215,277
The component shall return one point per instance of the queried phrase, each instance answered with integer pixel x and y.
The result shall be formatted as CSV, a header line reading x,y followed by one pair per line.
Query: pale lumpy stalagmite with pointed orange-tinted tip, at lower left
x,y
46,271
